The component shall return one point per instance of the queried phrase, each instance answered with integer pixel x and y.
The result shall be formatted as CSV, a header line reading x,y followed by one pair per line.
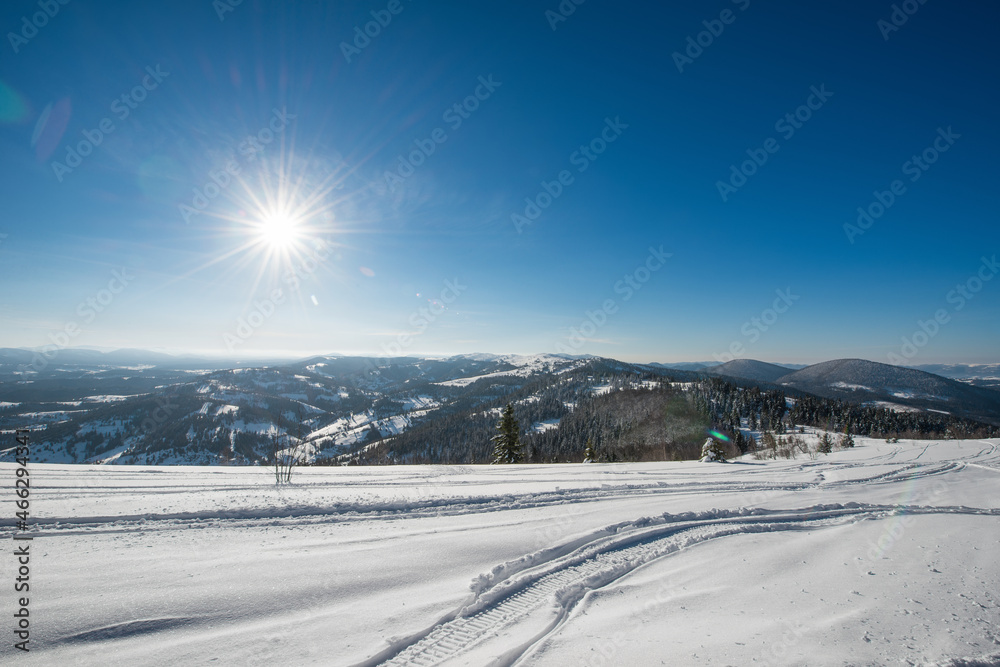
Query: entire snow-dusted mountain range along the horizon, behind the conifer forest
x,y
131,406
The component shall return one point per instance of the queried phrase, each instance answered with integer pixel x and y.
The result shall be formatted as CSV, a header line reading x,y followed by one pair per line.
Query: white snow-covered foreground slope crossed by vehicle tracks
x,y
886,554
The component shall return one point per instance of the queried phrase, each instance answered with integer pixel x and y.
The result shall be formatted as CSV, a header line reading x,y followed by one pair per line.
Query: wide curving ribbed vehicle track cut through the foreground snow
x,y
510,604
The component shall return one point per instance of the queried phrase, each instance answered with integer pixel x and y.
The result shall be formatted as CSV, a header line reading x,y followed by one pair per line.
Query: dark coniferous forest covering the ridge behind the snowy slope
x,y
657,422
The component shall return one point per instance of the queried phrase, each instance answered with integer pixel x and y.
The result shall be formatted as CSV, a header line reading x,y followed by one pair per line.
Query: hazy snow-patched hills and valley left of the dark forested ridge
x,y
332,405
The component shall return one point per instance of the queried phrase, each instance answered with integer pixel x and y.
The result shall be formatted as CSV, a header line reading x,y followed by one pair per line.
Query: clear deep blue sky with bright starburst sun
x,y
444,260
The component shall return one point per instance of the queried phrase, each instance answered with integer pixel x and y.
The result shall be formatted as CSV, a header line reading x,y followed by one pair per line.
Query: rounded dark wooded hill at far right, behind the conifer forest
x,y
860,380
